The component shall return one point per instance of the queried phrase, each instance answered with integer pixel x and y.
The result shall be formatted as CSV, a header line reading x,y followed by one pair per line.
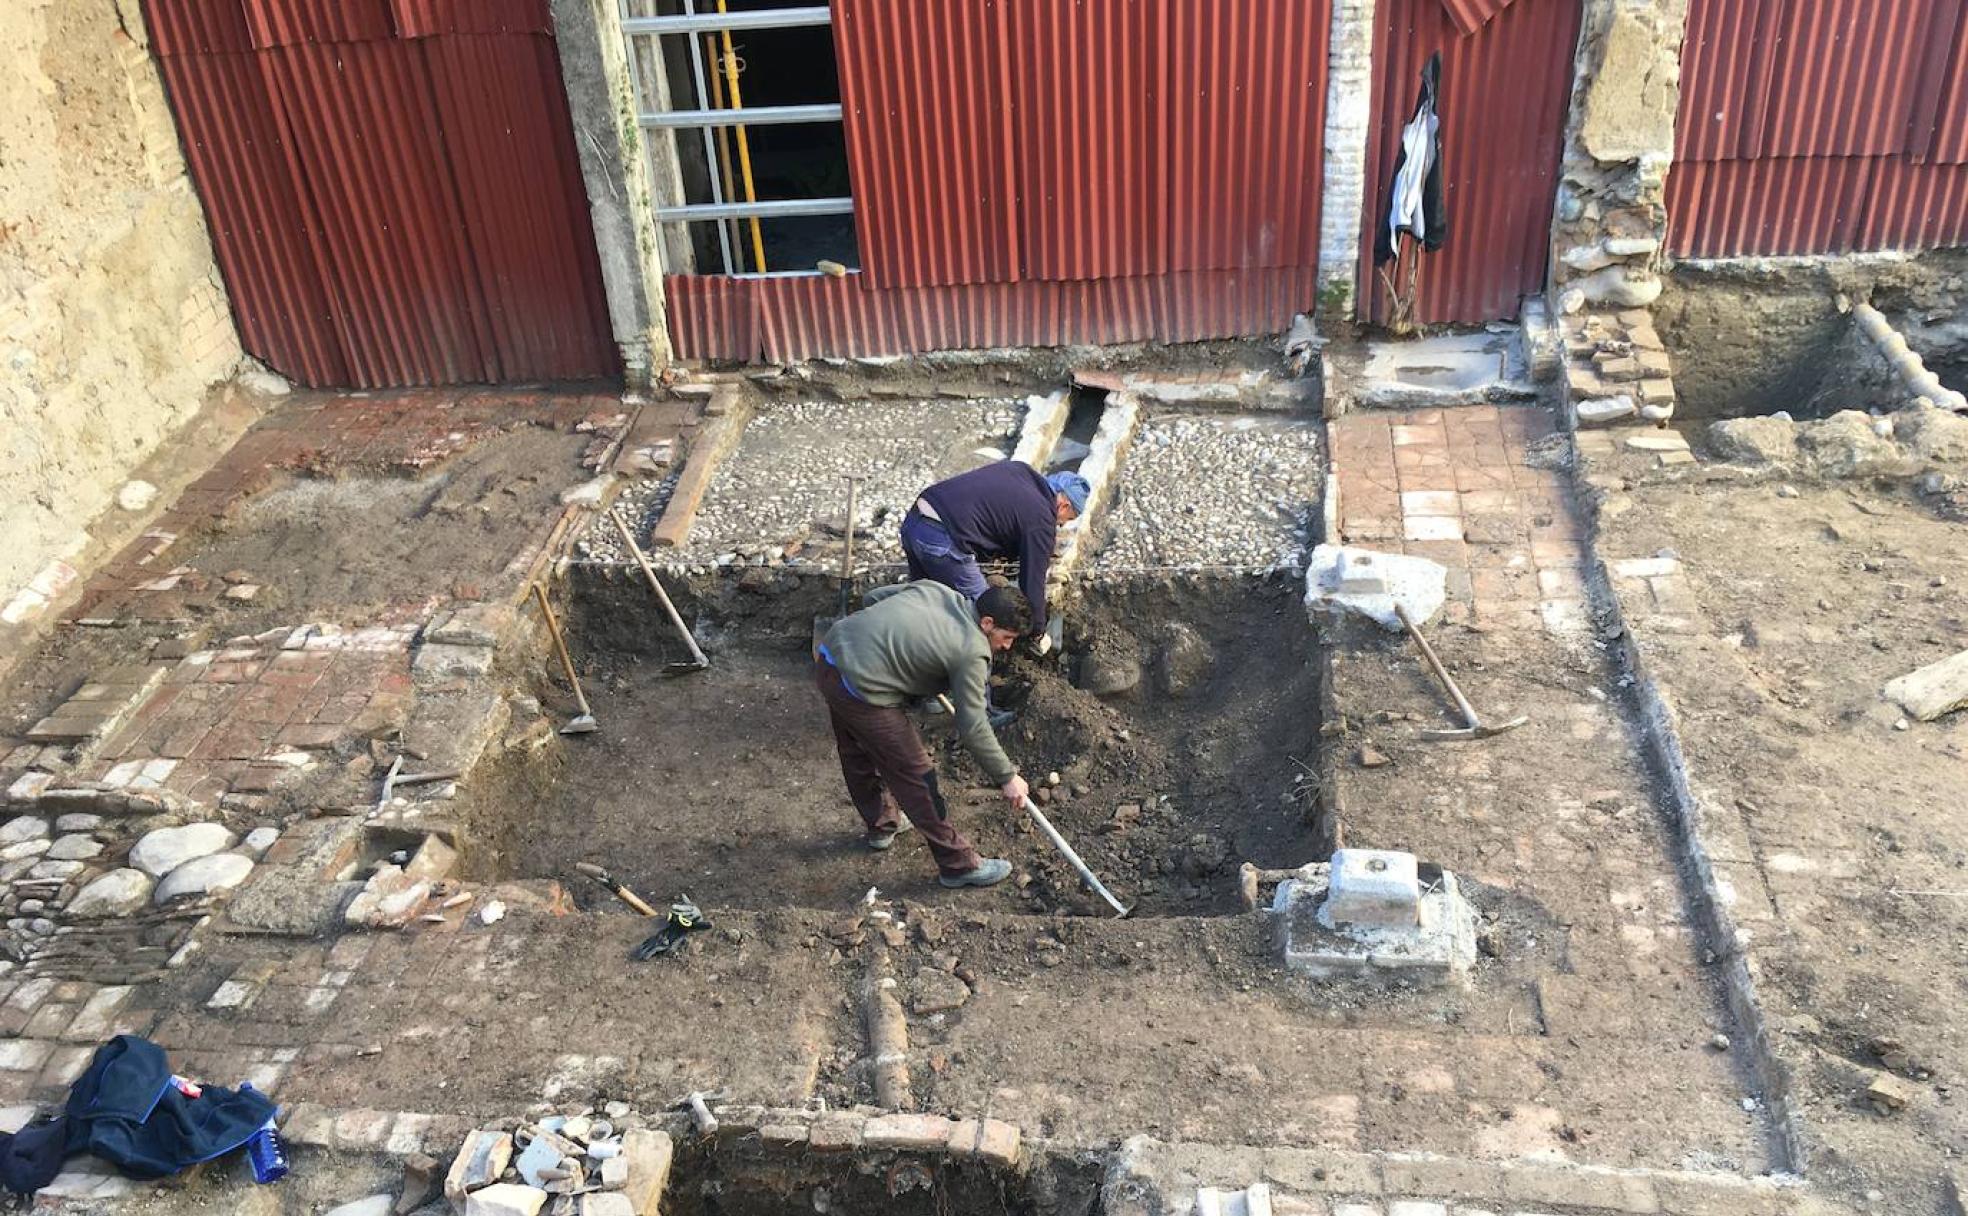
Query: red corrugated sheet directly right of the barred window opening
x,y
926,90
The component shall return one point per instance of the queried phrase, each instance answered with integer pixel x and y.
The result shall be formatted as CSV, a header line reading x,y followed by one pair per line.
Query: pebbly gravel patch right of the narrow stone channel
x,y
1205,491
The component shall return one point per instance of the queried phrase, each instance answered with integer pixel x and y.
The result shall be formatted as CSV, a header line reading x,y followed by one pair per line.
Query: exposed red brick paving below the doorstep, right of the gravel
x,y
1453,487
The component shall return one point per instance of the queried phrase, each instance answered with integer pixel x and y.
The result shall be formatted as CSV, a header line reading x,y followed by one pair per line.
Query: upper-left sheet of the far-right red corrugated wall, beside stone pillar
x,y
1725,72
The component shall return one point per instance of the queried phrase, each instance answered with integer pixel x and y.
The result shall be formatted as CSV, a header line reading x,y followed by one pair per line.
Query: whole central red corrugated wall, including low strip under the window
x,y
1030,172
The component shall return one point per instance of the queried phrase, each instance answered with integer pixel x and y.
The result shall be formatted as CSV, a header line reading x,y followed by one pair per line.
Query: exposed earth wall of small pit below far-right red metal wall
x,y
1756,335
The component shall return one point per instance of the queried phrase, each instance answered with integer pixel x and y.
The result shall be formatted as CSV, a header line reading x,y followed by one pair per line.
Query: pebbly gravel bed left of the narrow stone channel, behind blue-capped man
x,y
788,475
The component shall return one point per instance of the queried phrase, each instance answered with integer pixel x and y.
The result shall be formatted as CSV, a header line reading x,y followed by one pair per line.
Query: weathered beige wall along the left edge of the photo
x,y
113,318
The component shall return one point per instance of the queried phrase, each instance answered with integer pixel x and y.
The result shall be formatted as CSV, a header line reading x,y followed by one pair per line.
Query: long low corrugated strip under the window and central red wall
x,y
814,316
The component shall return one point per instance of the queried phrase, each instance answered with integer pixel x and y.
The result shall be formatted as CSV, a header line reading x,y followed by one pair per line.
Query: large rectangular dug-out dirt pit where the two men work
x,y
725,784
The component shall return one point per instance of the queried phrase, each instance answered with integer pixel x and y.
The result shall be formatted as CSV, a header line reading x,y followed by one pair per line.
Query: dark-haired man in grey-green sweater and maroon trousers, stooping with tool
x,y
910,642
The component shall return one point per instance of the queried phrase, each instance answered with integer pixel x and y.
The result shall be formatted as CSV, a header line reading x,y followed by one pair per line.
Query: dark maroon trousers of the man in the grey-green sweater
x,y
881,749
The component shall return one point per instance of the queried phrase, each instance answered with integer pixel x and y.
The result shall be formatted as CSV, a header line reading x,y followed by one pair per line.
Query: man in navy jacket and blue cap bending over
x,y
999,511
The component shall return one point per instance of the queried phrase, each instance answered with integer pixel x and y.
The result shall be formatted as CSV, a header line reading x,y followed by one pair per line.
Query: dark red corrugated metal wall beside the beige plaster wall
x,y
359,166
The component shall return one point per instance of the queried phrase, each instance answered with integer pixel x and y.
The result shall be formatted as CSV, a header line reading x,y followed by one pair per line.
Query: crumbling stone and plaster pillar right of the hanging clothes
x,y
1619,147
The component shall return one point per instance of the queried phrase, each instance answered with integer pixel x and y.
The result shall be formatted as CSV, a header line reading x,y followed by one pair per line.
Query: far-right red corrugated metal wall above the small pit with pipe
x,y
1821,127
